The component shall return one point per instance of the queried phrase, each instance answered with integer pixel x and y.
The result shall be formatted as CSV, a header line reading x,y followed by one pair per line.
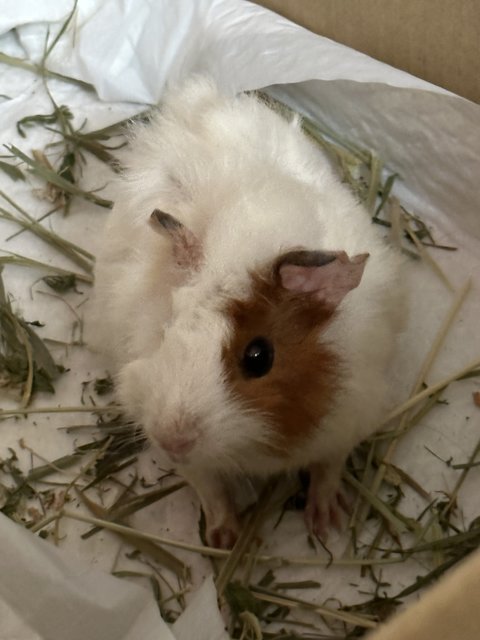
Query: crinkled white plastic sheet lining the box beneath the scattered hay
x,y
129,51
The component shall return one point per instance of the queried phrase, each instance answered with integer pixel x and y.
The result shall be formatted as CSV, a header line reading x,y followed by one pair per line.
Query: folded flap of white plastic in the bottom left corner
x,y
43,590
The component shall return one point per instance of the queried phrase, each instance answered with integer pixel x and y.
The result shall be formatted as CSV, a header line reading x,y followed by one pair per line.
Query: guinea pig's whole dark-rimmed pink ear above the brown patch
x,y
327,275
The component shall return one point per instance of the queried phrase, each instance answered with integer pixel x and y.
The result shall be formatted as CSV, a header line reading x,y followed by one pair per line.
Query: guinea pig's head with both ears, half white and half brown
x,y
238,382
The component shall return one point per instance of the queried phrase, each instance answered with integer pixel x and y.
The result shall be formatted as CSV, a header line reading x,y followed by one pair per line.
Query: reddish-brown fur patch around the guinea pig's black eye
x,y
297,392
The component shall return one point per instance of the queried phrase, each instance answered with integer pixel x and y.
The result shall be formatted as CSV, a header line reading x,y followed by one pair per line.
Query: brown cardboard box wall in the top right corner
x,y
437,40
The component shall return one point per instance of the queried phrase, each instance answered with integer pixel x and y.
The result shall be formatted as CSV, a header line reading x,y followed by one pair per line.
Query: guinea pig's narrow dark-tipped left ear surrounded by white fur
x,y
187,250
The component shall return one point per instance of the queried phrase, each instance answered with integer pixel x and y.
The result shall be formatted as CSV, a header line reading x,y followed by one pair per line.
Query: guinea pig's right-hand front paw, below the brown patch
x,y
326,502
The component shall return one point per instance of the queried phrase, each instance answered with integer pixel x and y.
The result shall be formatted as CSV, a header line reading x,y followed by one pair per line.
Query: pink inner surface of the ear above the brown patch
x,y
329,282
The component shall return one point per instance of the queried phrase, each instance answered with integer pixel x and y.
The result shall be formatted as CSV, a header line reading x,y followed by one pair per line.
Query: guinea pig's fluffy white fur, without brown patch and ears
x,y
250,187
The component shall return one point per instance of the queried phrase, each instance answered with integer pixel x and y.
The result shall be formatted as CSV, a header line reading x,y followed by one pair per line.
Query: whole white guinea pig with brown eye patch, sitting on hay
x,y
247,301
